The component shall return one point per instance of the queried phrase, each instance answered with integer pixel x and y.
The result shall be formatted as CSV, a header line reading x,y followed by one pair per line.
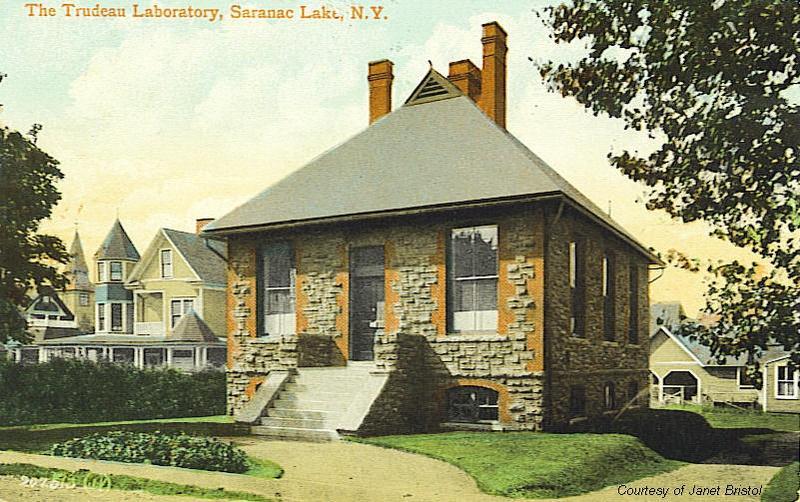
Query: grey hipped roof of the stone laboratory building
x,y
441,153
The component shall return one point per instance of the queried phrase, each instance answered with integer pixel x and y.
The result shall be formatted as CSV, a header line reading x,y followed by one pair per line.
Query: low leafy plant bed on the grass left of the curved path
x,y
178,450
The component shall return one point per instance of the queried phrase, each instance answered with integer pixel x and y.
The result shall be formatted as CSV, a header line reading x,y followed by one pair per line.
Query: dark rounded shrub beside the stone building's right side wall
x,y
674,434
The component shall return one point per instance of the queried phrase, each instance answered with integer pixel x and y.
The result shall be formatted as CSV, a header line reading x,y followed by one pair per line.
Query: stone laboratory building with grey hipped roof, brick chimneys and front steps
x,y
431,272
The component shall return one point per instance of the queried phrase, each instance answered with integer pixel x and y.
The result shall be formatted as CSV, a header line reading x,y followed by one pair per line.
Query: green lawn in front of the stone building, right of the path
x,y
537,465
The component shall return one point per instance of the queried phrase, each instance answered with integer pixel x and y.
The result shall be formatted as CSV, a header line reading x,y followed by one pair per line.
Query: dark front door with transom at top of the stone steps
x,y
366,300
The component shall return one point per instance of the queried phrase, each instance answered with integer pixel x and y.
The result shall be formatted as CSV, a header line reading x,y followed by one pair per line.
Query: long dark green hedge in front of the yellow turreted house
x,y
80,391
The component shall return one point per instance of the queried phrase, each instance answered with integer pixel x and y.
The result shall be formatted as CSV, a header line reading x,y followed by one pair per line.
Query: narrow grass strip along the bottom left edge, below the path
x,y
84,478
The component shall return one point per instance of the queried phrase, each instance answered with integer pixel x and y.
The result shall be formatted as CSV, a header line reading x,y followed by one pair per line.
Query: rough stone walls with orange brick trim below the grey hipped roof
x,y
425,359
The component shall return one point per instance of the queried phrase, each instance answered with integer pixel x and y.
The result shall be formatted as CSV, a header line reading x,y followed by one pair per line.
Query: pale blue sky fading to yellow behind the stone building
x,y
167,121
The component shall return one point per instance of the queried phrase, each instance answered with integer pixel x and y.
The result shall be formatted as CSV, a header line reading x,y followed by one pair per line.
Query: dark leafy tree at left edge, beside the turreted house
x,y
27,258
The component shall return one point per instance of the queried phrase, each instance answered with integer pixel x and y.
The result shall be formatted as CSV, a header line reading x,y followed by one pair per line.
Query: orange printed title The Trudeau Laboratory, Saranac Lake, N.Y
x,y
233,11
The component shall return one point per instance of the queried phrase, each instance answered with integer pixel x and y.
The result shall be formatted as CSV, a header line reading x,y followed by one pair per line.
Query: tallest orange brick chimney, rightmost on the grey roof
x,y
493,73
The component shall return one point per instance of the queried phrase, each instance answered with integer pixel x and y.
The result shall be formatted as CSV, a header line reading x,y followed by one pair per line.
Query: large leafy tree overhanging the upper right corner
x,y
712,79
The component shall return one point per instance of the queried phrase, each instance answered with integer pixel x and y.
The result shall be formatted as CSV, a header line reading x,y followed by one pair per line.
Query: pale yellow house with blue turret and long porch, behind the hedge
x,y
181,270
